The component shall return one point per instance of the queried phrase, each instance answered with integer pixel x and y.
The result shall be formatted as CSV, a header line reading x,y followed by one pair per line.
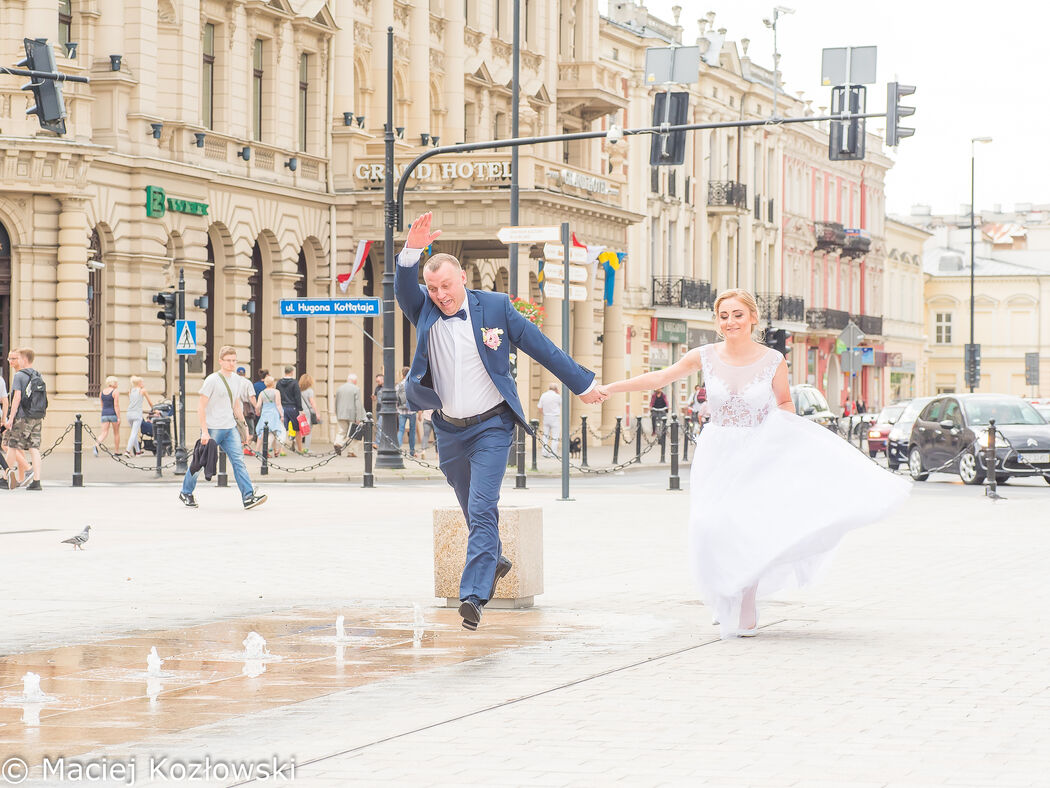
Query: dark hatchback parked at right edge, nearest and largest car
x,y
952,434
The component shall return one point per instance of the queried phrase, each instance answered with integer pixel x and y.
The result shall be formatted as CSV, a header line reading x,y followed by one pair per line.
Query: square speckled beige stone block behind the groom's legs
x,y
521,532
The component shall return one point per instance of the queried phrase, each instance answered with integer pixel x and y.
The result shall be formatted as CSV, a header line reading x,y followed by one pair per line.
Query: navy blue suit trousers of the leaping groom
x,y
474,461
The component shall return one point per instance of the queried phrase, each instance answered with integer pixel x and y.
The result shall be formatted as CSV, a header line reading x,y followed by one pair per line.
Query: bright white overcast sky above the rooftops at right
x,y
981,70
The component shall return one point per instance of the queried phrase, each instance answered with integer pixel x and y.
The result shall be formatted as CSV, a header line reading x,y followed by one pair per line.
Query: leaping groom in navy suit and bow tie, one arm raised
x,y
461,370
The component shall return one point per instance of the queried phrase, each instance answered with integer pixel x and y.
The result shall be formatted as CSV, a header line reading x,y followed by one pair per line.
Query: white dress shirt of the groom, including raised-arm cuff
x,y
460,378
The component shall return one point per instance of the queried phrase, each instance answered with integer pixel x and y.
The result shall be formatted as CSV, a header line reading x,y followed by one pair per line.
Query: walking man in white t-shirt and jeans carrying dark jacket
x,y
220,410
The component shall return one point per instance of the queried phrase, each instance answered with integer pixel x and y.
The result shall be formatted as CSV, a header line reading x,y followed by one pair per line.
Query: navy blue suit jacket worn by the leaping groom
x,y
488,312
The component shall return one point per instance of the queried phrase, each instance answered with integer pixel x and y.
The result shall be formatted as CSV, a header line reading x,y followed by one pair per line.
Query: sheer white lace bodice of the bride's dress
x,y
740,397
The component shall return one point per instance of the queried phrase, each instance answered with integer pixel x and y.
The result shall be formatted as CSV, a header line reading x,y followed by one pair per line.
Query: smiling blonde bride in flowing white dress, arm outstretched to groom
x,y
772,493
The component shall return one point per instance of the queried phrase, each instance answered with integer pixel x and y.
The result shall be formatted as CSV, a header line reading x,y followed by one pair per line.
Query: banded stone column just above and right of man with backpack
x,y
71,309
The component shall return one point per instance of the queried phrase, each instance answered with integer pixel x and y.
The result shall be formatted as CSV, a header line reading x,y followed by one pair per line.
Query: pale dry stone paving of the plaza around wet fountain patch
x,y
921,660
